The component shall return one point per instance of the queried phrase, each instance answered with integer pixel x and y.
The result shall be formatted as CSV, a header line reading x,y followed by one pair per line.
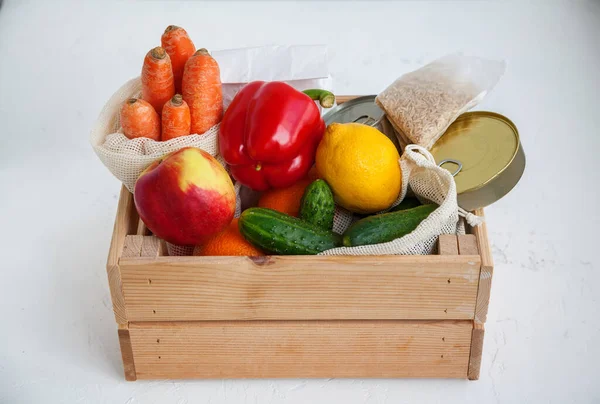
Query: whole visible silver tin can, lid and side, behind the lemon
x,y
362,110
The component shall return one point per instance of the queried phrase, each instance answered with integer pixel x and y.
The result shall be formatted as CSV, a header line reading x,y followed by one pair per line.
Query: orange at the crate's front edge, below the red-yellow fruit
x,y
228,242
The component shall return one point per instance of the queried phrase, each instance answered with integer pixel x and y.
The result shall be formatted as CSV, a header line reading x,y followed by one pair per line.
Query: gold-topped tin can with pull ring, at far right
x,y
484,153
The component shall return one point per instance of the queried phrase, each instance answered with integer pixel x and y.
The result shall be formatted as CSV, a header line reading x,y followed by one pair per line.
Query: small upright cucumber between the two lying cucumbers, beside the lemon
x,y
317,206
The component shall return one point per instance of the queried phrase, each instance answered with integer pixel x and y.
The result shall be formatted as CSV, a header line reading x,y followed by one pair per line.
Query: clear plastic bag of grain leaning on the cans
x,y
423,103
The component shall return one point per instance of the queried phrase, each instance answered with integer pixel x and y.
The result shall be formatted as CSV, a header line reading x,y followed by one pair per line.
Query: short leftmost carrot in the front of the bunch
x,y
139,119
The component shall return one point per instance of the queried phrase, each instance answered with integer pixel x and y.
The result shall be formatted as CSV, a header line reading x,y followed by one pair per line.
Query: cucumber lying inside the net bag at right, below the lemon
x,y
386,227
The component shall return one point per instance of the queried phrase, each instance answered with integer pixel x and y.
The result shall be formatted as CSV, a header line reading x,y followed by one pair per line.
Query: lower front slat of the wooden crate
x,y
301,349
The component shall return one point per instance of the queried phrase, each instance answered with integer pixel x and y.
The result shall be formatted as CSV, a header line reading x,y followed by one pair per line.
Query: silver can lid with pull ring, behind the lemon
x,y
359,110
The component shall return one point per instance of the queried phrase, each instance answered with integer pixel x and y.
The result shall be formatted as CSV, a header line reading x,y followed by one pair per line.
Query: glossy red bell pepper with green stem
x,y
270,133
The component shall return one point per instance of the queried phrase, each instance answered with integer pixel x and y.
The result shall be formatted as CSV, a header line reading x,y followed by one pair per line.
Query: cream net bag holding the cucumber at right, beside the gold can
x,y
429,183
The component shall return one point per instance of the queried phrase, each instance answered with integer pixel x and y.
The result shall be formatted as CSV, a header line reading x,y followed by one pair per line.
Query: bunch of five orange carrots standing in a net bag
x,y
161,114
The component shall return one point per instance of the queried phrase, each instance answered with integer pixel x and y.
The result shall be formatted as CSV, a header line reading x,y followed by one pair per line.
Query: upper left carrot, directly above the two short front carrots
x,y
157,78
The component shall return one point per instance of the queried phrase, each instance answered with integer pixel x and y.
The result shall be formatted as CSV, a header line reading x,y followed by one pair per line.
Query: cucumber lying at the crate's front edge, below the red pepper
x,y
278,233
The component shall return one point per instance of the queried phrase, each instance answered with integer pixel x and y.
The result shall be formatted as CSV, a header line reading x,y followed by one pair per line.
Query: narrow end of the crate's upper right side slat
x,y
487,270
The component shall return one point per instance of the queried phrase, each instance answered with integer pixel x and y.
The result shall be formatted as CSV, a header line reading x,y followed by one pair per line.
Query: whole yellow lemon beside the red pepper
x,y
361,166
